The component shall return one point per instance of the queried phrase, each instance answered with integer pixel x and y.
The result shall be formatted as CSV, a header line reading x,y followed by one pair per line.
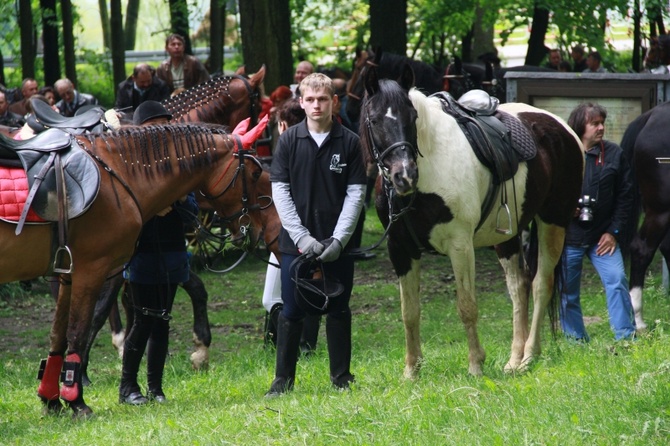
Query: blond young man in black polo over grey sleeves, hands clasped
x,y
318,185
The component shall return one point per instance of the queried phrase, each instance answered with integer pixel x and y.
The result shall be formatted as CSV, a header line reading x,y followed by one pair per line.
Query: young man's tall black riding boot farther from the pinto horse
x,y
288,339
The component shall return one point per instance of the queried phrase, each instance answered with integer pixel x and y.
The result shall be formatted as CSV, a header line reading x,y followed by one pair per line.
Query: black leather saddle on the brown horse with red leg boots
x,y
51,157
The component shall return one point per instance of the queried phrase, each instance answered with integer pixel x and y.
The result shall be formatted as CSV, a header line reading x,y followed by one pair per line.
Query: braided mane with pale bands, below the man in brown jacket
x,y
208,95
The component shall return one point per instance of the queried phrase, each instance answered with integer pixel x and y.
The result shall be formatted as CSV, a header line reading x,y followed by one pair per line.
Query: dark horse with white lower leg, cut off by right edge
x,y
645,144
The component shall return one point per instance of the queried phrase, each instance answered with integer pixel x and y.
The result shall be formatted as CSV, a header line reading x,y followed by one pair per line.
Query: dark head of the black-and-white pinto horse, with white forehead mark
x,y
388,128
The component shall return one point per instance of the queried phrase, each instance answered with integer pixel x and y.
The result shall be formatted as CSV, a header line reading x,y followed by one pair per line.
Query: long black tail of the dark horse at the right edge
x,y
628,146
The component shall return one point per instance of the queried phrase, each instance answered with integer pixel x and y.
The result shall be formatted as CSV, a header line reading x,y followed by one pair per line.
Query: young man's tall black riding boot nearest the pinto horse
x,y
338,336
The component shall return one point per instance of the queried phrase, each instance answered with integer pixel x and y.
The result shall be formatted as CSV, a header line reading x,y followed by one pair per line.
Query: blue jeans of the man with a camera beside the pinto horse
x,y
610,268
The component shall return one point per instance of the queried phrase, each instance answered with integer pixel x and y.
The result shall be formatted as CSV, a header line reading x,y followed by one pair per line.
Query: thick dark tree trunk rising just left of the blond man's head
x,y
266,38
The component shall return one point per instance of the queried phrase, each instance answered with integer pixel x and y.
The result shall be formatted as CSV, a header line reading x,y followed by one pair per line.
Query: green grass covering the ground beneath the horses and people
x,y
602,393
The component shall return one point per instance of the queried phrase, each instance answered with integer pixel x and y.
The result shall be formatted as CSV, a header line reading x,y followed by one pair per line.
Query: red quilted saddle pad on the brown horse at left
x,y
13,194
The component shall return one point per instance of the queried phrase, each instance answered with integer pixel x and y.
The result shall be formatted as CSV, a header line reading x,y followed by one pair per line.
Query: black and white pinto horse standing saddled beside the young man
x,y
434,186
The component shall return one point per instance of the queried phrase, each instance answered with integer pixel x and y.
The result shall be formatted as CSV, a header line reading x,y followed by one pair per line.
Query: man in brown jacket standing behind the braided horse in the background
x,y
180,70
